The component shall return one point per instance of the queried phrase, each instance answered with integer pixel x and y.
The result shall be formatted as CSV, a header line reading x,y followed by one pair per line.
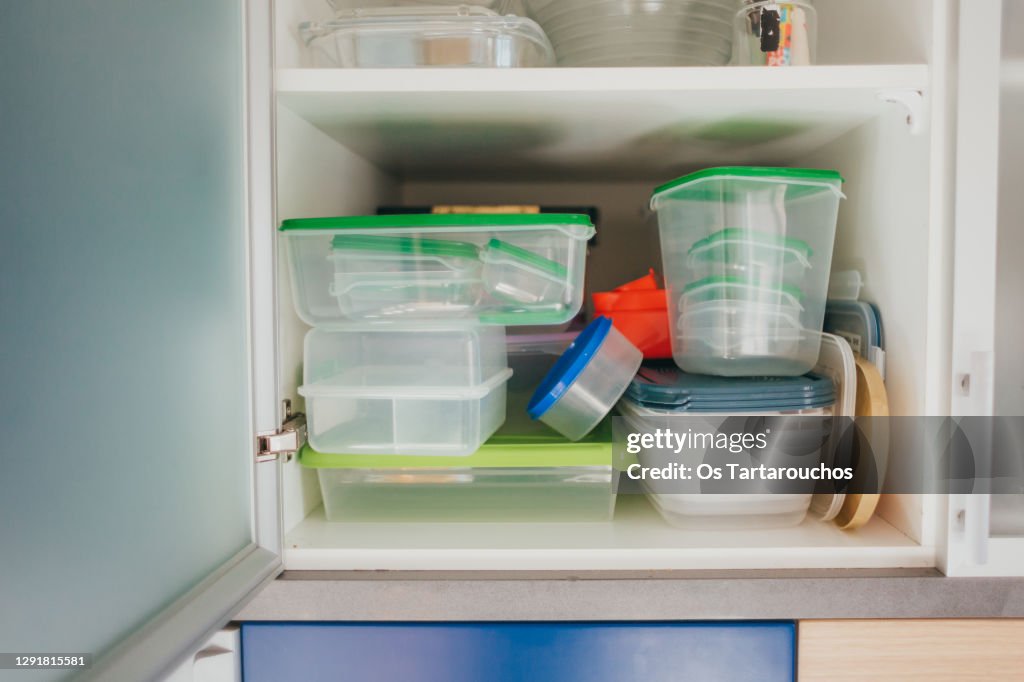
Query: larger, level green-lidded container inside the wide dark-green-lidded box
x,y
394,275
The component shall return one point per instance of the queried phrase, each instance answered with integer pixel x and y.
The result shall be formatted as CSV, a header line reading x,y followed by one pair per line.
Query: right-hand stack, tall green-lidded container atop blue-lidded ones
x,y
747,254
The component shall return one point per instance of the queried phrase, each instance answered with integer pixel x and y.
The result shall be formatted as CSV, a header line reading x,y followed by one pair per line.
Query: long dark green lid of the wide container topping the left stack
x,y
435,221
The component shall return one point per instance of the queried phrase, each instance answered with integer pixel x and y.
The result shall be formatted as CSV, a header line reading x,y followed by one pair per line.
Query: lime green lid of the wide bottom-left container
x,y
502,451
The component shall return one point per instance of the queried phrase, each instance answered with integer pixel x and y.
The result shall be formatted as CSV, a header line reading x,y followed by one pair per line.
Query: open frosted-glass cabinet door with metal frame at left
x,y
137,280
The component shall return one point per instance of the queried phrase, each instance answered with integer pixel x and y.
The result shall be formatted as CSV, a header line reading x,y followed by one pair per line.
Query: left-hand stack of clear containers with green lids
x,y
408,360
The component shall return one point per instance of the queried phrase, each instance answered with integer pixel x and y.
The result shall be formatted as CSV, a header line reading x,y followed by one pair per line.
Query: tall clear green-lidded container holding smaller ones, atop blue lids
x,y
765,323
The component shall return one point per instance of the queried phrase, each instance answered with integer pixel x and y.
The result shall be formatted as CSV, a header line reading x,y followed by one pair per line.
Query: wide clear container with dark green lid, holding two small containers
x,y
436,267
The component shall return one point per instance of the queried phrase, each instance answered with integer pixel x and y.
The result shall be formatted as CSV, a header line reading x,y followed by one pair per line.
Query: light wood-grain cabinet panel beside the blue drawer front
x,y
933,651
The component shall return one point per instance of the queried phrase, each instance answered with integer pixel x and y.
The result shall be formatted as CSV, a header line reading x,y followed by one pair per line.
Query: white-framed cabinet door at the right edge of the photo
x,y
988,133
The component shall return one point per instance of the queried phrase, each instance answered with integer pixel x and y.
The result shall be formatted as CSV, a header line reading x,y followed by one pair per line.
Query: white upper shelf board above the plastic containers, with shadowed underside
x,y
645,123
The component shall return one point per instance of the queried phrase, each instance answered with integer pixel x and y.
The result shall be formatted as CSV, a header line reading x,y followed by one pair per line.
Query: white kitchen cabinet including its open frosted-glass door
x,y
135,467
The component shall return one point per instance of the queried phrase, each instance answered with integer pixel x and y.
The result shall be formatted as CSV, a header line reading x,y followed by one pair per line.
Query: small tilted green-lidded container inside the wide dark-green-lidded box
x,y
518,275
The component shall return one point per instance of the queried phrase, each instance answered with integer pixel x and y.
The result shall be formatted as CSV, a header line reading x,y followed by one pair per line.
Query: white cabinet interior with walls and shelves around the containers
x,y
463,146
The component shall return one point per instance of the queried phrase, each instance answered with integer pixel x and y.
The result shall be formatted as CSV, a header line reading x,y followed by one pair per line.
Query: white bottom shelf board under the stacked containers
x,y
638,539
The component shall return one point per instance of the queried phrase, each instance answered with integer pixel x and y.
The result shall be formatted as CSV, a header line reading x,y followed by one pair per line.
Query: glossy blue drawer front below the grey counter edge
x,y
519,652
